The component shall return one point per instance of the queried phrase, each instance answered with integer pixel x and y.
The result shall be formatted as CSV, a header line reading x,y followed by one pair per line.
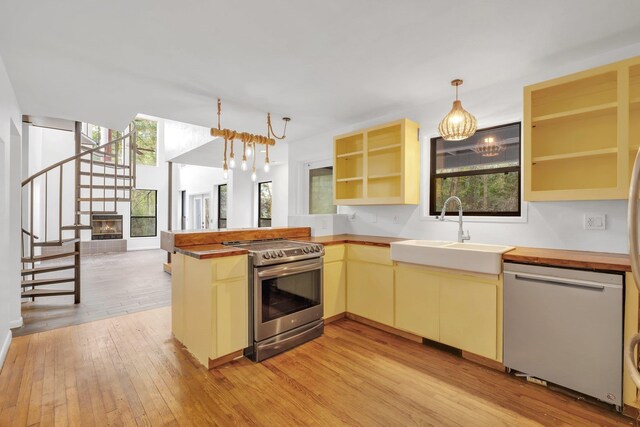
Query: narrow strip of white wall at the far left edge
x,y
10,175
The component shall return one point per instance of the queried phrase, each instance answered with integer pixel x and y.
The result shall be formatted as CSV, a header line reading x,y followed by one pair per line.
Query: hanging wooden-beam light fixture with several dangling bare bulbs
x,y
249,142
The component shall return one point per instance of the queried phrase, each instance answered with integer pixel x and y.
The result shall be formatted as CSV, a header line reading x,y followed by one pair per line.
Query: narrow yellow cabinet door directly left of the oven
x,y
231,317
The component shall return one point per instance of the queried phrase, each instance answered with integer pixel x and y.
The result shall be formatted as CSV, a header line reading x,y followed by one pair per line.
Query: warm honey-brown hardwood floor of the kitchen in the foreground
x,y
128,370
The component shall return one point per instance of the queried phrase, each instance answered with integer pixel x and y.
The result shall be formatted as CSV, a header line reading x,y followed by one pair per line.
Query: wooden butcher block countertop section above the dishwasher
x,y
565,258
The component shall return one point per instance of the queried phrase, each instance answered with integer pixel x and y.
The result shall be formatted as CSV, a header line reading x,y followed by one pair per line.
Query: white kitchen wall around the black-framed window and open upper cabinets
x,y
545,224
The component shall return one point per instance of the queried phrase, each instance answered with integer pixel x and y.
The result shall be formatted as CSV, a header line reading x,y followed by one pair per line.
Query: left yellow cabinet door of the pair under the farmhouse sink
x,y
416,304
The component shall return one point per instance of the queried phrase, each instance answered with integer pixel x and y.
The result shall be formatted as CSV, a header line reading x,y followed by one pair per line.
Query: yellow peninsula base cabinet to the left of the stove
x,y
209,305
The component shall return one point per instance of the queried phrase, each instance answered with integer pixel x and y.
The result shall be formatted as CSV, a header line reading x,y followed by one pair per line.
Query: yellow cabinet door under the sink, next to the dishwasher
x,y
468,315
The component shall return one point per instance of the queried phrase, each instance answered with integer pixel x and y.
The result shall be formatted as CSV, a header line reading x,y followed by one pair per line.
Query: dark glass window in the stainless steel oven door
x,y
289,294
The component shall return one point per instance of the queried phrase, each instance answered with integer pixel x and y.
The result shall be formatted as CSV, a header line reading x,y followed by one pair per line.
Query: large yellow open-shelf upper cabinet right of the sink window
x,y
579,133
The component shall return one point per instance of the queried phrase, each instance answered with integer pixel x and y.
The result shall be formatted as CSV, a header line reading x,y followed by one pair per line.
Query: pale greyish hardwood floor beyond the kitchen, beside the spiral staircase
x,y
112,285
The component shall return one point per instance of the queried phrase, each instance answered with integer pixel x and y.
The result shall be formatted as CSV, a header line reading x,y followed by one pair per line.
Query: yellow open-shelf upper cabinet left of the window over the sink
x,y
378,165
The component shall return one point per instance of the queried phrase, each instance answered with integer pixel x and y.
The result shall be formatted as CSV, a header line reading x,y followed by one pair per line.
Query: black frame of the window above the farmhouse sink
x,y
433,176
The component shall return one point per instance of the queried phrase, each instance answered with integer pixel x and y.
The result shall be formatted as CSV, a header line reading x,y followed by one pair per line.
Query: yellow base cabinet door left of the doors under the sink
x,y
370,291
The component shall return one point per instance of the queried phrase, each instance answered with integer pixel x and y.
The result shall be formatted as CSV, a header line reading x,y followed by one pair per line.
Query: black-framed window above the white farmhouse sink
x,y
488,183
